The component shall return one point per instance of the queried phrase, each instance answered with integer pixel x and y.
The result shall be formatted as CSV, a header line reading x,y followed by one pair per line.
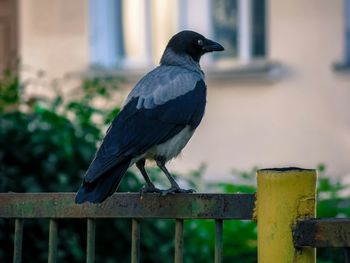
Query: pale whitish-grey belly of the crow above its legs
x,y
172,147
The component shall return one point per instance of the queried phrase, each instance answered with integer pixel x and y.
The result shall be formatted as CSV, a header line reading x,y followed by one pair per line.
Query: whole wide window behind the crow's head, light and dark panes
x,y
133,33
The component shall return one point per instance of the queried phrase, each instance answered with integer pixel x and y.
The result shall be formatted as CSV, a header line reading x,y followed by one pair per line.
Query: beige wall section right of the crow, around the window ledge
x,y
302,119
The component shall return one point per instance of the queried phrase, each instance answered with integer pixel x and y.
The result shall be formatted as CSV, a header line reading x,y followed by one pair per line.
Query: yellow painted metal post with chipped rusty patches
x,y
283,196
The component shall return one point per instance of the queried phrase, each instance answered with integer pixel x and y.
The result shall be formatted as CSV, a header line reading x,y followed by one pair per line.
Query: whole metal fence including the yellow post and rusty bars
x,y
284,207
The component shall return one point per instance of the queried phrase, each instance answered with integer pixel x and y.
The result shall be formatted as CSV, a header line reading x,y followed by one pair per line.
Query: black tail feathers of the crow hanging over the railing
x,y
103,187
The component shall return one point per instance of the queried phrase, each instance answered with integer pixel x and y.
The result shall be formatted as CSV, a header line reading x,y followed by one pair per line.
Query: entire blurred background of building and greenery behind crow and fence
x,y
277,96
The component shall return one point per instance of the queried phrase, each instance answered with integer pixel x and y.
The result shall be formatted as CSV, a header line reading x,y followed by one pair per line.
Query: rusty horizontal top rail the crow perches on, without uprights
x,y
128,205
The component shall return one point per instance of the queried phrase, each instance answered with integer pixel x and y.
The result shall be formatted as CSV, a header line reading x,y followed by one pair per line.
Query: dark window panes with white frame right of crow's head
x,y
240,26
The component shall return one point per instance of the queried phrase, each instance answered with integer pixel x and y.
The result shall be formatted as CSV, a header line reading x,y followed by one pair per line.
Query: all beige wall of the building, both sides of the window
x,y
302,119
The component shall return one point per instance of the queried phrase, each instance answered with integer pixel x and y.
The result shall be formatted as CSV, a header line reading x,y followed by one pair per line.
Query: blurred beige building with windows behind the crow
x,y
278,96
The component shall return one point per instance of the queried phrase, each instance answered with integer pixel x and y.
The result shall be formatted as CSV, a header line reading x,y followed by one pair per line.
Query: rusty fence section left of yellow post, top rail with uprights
x,y
56,206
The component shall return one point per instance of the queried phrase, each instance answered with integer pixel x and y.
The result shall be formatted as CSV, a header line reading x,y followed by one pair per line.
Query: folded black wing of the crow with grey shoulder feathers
x,y
148,121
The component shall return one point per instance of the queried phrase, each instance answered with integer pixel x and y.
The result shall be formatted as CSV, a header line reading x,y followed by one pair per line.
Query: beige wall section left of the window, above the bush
x,y
53,36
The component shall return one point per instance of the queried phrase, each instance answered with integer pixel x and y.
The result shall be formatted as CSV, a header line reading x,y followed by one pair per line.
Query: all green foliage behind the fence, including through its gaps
x,y
46,146
